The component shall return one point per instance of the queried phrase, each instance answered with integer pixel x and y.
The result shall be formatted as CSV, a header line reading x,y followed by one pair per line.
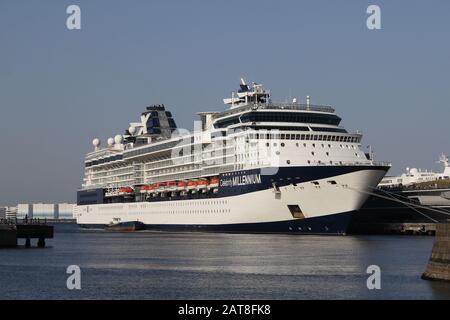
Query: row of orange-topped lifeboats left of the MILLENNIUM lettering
x,y
197,185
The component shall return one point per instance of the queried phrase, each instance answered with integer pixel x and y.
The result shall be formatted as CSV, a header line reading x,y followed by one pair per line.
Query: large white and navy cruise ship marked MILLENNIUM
x,y
257,166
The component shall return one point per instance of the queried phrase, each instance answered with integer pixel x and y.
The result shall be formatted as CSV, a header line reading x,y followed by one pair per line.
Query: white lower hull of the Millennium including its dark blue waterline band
x,y
325,208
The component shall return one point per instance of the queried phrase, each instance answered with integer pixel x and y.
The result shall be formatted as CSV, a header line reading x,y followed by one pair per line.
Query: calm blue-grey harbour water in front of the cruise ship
x,y
160,265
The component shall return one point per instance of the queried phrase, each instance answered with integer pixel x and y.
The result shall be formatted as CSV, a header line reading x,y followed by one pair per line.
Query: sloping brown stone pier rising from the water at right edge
x,y
438,267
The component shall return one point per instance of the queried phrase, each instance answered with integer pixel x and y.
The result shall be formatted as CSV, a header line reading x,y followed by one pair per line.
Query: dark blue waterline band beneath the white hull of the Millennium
x,y
330,224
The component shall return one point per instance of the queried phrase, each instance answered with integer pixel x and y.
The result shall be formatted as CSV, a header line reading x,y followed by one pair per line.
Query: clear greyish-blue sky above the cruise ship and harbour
x,y
61,88
